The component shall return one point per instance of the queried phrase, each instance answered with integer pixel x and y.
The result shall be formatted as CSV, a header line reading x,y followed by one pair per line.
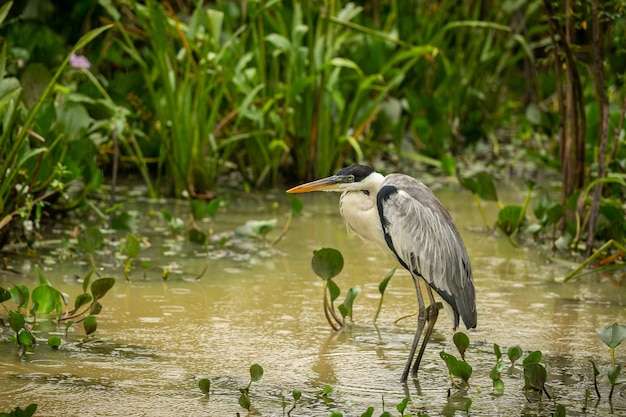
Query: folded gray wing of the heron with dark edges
x,y
422,235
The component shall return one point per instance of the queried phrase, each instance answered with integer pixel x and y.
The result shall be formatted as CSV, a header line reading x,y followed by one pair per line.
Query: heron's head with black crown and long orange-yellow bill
x,y
352,178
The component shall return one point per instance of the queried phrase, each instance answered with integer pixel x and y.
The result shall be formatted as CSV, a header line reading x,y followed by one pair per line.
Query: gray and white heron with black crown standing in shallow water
x,y
401,214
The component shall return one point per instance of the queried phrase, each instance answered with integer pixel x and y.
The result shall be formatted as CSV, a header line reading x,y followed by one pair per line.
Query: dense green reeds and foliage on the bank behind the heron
x,y
182,93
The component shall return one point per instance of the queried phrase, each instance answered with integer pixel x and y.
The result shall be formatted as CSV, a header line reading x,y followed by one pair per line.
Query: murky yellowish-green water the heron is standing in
x,y
157,338
